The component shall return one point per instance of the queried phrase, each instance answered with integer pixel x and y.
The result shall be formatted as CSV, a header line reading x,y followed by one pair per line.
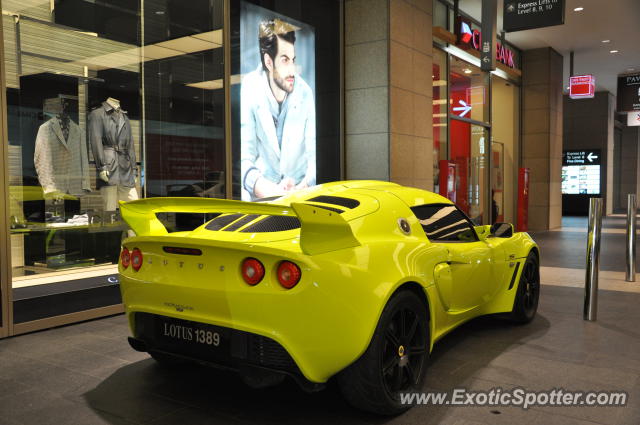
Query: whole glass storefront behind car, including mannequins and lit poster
x,y
120,100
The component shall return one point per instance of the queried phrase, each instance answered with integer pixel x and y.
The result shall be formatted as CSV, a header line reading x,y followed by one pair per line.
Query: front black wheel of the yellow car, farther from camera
x,y
525,304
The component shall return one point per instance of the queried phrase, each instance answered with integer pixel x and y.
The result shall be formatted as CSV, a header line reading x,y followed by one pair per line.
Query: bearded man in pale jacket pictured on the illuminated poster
x,y
278,127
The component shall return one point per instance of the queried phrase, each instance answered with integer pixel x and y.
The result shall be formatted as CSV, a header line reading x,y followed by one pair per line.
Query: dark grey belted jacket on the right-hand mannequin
x,y
112,146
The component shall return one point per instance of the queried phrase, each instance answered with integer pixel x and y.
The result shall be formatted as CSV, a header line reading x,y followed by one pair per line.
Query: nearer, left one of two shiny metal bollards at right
x,y
593,260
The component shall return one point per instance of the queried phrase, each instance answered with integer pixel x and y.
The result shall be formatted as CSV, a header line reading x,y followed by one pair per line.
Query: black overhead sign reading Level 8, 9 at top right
x,y
521,15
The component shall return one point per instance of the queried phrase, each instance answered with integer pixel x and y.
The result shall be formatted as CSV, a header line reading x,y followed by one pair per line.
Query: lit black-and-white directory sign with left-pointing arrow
x,y
581,172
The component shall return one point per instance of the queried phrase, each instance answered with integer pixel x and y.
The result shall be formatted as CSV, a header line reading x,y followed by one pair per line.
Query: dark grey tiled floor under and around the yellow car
x,y
86,374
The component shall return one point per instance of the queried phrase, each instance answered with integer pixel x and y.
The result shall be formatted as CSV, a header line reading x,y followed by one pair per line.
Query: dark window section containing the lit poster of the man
x,y
286,105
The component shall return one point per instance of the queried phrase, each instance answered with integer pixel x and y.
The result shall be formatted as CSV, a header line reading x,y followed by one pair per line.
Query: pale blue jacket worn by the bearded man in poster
x,y
262,155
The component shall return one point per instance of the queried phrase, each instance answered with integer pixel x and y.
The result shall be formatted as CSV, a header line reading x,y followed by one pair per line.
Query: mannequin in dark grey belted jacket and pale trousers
x,y
112,146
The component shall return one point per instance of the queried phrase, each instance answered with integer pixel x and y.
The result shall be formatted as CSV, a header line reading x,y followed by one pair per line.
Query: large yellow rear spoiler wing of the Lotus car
x,y
321,230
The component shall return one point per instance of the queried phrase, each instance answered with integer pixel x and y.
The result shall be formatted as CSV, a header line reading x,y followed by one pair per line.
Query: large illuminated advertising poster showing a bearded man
x,y
277,103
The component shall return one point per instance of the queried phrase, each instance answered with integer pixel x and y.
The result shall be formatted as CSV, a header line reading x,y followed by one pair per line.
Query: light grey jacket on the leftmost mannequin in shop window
x,y
62,165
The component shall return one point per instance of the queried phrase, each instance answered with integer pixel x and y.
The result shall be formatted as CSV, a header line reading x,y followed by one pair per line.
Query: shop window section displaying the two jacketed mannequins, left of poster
x,y
107,102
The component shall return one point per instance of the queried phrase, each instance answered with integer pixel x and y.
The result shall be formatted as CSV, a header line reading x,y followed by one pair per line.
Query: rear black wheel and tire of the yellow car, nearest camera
x,y
395,361
